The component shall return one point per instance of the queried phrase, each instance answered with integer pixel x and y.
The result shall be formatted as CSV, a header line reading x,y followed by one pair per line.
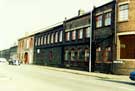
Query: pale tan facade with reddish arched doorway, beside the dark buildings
x,y
25,49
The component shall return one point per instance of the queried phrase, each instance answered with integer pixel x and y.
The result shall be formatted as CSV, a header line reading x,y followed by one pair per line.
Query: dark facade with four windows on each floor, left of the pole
x,y
77,42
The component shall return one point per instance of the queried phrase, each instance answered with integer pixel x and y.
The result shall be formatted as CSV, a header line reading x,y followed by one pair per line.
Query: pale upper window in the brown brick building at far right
x,y
123,12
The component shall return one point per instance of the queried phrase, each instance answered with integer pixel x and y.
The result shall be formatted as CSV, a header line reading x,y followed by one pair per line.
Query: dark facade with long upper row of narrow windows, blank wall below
x,y
48,48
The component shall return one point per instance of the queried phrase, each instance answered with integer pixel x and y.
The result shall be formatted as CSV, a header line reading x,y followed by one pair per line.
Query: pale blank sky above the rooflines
x,y
20,16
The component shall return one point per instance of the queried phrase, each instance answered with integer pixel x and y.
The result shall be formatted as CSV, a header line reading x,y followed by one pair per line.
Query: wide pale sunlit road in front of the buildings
x,y
37,78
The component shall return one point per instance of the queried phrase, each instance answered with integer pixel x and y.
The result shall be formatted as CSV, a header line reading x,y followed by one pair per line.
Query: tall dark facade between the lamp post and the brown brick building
x,y
103,40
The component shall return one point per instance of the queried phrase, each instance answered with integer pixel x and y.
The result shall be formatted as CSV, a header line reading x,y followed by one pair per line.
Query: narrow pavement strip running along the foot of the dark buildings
x,y
93,74
